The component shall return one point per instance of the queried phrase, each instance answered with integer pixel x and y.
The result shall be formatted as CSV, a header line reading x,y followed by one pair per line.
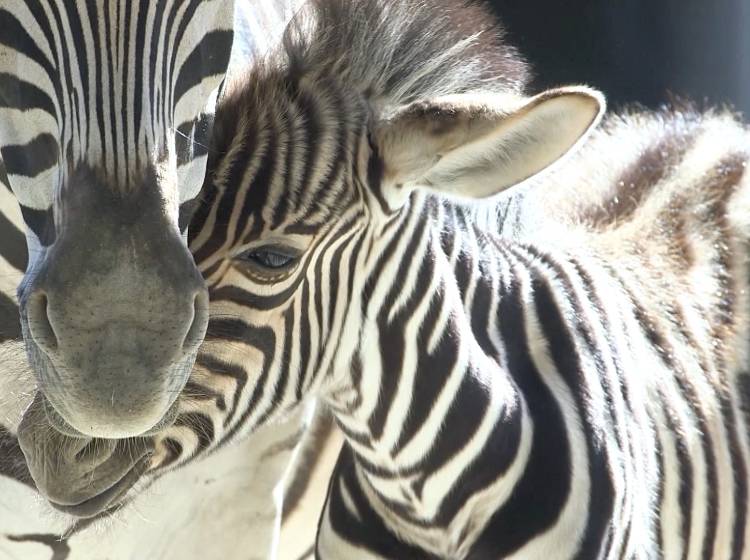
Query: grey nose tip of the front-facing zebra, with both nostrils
x,y
117,371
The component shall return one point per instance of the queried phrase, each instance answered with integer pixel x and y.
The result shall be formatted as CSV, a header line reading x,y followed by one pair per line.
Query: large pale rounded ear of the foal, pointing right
x,y
476,146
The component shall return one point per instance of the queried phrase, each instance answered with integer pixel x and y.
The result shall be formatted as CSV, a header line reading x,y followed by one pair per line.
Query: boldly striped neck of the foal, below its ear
x,y
431,392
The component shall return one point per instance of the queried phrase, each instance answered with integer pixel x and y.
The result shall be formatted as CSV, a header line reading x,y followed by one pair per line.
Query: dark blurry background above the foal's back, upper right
x,y
637,50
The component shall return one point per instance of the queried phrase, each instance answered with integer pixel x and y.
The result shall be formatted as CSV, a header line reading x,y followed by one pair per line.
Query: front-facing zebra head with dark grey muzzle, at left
x,y
105,111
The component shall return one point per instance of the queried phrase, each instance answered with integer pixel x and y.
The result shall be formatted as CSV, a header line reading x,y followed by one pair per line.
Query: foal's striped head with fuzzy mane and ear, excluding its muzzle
x,y
319,156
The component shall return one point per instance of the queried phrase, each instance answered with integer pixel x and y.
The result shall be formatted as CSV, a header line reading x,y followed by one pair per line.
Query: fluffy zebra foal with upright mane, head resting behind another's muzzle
x,y
558,372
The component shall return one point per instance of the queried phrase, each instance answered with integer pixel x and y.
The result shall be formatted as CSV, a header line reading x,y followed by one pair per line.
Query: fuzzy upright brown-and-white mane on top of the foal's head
x,y
399,51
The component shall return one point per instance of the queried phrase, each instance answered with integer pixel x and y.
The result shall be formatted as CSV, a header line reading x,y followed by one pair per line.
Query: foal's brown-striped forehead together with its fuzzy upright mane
x,y
290,134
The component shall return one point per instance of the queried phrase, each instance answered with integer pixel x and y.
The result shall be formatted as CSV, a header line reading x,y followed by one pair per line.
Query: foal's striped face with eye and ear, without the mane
x,y
306,192
